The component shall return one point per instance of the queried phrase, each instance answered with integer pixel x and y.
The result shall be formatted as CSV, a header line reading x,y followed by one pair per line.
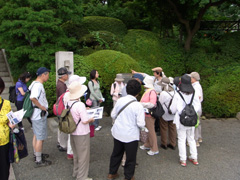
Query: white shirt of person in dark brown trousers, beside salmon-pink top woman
x,y
165,100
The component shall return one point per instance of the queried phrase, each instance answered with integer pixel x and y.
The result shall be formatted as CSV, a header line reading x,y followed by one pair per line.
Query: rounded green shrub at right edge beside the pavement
x,y
221,98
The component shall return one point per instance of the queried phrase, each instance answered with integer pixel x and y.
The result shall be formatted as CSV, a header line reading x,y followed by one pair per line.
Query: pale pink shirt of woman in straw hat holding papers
x,y
79,111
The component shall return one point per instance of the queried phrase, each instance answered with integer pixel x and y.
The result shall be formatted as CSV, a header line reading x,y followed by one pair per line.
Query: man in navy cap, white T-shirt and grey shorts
x,y
39,116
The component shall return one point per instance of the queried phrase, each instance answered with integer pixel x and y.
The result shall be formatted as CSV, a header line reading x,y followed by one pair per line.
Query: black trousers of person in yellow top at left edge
x,y
4,162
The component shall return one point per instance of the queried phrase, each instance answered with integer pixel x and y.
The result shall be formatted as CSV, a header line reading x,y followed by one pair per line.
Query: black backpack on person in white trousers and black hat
x,y
188,117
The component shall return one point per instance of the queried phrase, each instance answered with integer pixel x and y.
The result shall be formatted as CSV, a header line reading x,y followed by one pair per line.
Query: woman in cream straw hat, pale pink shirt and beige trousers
x,y
80,138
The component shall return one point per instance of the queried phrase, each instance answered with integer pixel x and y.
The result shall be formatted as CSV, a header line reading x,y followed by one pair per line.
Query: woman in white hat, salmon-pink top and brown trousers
x,y
149,100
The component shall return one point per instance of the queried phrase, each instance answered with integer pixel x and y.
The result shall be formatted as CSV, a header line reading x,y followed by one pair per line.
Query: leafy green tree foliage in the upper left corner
x,y
31,31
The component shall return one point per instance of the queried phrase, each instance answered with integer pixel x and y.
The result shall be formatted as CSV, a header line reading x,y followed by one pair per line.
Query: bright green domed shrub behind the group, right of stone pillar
x,y
108,63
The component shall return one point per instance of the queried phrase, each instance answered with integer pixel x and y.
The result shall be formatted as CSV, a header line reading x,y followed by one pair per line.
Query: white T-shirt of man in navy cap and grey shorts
x,y
38,92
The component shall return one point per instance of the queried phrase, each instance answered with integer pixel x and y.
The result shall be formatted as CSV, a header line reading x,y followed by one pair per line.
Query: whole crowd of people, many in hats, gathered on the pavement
x,y
129,115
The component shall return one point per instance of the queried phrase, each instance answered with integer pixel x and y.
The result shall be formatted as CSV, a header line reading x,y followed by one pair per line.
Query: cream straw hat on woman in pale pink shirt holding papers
x,y
76,90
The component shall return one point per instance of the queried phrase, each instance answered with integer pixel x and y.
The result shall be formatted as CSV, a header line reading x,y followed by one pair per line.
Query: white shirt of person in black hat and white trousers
x,y
178,105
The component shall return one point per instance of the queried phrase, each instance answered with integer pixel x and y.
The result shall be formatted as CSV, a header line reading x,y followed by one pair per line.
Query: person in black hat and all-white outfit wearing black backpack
x,y
185,104
